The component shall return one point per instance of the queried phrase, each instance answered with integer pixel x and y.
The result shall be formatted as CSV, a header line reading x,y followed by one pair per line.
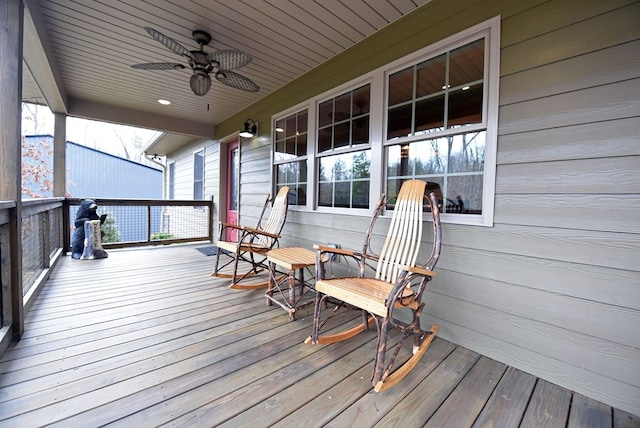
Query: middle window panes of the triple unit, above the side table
x,y
343,150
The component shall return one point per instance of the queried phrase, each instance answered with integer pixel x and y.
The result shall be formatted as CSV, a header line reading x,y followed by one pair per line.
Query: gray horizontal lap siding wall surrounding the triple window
x,y
554,287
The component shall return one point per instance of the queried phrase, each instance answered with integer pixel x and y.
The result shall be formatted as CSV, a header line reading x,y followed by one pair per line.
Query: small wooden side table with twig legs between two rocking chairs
x,y
282,289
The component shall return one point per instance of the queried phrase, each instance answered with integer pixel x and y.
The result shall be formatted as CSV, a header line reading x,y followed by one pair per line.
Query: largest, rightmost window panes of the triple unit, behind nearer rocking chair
x,y
436,129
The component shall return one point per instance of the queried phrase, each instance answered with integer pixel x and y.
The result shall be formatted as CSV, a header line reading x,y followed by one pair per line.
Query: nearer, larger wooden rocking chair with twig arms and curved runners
x,y
398,283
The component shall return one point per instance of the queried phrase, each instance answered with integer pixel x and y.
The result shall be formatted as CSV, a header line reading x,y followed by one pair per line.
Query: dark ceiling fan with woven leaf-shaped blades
x,y
219,63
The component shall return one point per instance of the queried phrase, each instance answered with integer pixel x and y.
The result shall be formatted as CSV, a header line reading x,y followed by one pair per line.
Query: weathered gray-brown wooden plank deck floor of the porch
x,y
148,338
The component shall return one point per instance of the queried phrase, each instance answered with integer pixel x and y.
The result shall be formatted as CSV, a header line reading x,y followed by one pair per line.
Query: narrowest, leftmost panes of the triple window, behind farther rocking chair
x,y
290,155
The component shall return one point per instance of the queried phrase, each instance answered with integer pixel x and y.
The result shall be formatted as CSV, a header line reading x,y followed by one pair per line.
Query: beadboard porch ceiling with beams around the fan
x,y
77,54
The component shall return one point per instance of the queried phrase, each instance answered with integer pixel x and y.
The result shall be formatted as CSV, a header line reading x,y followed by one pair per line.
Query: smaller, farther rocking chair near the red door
x,y
253,243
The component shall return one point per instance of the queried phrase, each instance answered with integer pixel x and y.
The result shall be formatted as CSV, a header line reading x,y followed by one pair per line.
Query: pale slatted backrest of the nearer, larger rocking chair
x,y
405,232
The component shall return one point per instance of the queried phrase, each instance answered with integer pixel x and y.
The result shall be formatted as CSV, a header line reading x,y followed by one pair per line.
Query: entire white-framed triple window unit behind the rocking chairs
x,y
431,115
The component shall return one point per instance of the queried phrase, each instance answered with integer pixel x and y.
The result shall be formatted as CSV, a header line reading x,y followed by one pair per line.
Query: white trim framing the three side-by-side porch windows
x,y
490,29
